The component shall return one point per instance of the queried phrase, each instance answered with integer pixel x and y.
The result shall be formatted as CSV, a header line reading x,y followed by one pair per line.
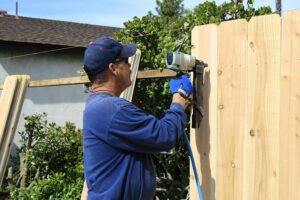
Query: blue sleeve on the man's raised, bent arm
x,y
133,130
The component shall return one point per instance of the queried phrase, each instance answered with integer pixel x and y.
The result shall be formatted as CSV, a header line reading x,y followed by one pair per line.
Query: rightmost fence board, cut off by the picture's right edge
x,y
289,176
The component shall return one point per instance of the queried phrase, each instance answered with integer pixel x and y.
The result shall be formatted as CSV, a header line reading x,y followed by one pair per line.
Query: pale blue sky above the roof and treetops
x,y
106,12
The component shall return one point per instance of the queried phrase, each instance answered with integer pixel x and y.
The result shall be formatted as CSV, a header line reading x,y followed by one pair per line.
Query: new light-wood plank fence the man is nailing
x,y
248,145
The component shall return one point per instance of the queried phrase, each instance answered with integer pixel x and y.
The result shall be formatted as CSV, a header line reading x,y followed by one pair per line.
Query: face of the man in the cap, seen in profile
x,y
123,67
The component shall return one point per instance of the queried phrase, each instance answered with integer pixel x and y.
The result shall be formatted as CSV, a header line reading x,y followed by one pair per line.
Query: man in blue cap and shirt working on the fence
x,y
118,137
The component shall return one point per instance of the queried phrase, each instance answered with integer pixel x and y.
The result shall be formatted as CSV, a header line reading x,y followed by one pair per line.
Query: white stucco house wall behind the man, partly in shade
x,y
61,103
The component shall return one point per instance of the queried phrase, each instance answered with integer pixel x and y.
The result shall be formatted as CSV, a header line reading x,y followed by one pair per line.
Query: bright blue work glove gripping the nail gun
x,y
183,86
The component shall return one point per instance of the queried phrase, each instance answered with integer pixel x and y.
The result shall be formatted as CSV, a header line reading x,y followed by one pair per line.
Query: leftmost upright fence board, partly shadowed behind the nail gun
x,y
203,139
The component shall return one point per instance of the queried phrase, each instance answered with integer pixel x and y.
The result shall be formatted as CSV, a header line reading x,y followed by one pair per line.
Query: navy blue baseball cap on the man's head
x,y
103,51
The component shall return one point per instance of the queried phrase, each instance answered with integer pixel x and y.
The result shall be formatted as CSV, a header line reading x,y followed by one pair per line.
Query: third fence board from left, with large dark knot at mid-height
x,y
261,150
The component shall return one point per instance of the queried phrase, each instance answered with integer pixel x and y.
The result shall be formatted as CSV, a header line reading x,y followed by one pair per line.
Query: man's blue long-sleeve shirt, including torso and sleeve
x,y
118,141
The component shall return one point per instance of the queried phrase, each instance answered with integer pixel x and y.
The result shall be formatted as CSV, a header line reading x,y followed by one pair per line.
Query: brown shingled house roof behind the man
x,y
53,32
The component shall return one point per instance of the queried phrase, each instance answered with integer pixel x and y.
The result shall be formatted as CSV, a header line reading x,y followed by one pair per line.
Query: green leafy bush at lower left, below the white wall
x,y
52,159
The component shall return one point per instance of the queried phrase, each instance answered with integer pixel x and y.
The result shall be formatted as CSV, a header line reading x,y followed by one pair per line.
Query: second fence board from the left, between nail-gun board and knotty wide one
x,y
232,64
